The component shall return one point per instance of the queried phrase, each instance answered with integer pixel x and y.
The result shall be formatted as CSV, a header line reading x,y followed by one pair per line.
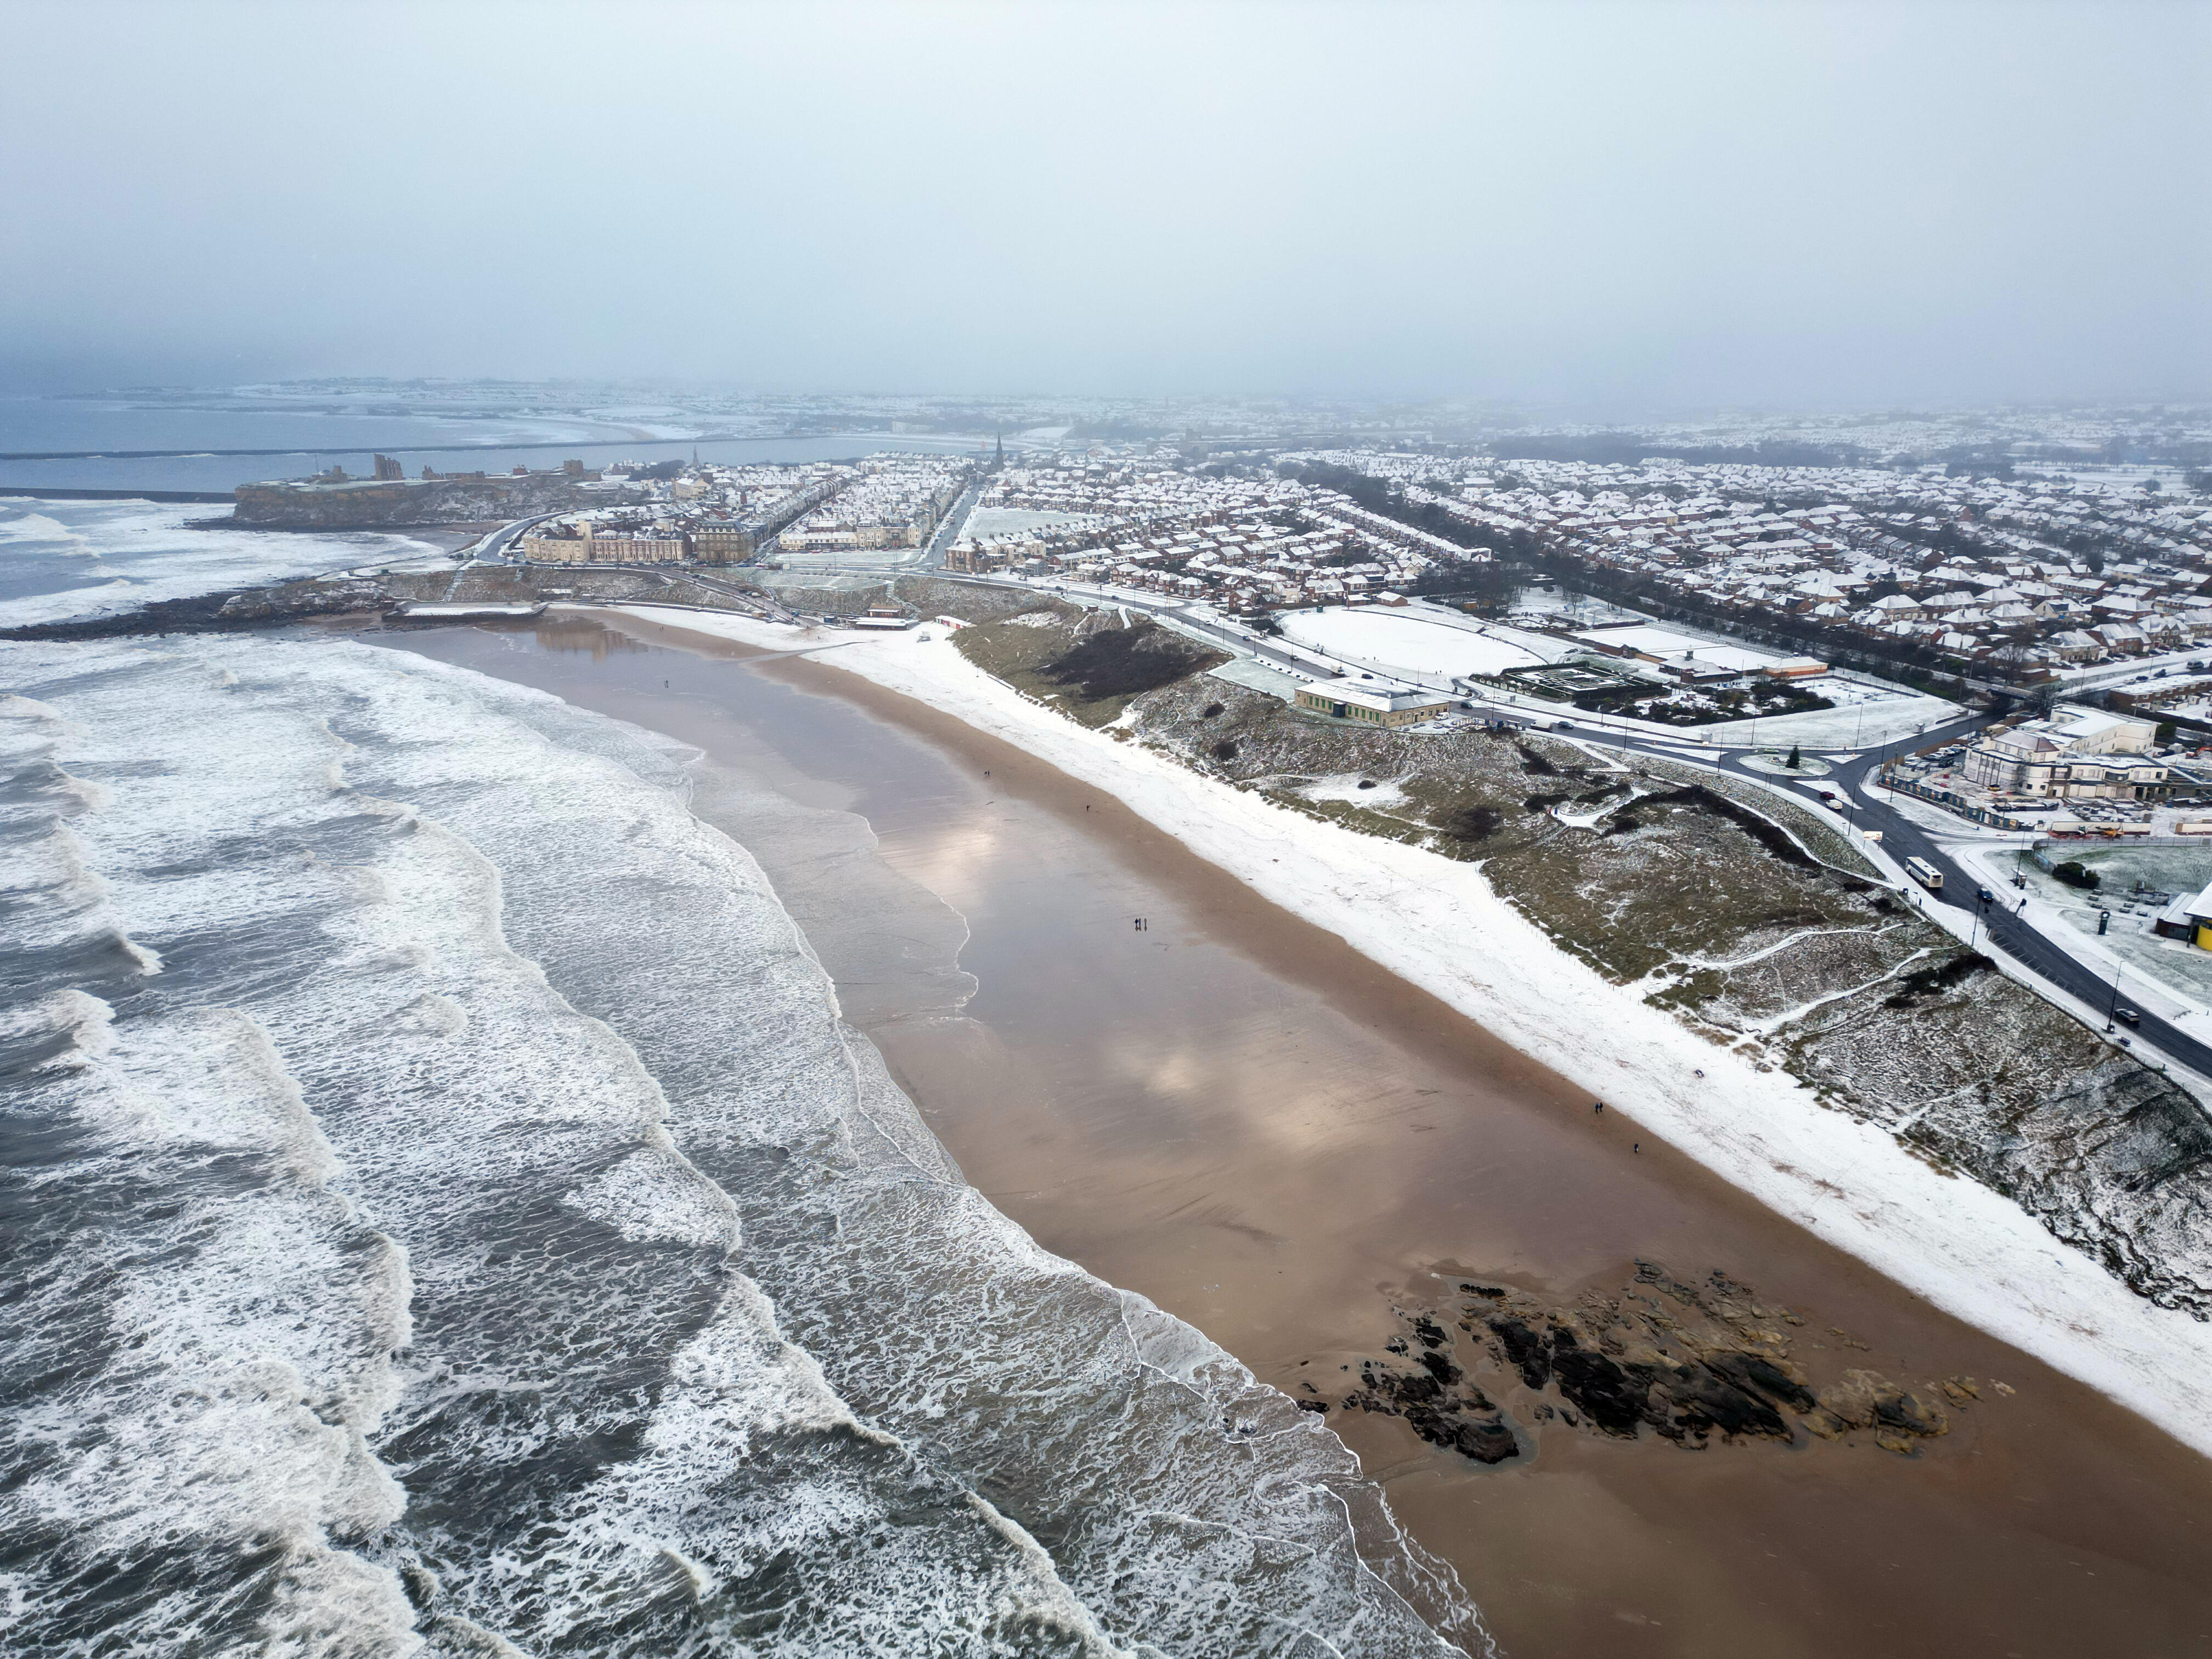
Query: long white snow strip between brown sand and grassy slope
x,y
1439,926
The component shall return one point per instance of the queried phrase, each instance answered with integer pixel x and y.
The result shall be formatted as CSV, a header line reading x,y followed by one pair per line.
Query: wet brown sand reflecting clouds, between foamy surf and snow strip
x,y
1238,1116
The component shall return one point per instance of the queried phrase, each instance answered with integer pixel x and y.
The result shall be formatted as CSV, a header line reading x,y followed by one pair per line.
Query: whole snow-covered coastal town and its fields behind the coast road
x,y
2021,614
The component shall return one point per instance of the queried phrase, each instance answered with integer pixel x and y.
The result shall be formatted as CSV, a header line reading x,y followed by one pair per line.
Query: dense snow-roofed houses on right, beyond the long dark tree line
x,y
2018,578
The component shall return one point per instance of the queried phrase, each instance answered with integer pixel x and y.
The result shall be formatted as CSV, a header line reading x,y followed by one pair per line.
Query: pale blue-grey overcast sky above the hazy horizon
x,y
1629,207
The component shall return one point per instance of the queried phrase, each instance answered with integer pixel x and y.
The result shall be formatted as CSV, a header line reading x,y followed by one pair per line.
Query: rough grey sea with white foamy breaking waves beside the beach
x,y
450,1215
